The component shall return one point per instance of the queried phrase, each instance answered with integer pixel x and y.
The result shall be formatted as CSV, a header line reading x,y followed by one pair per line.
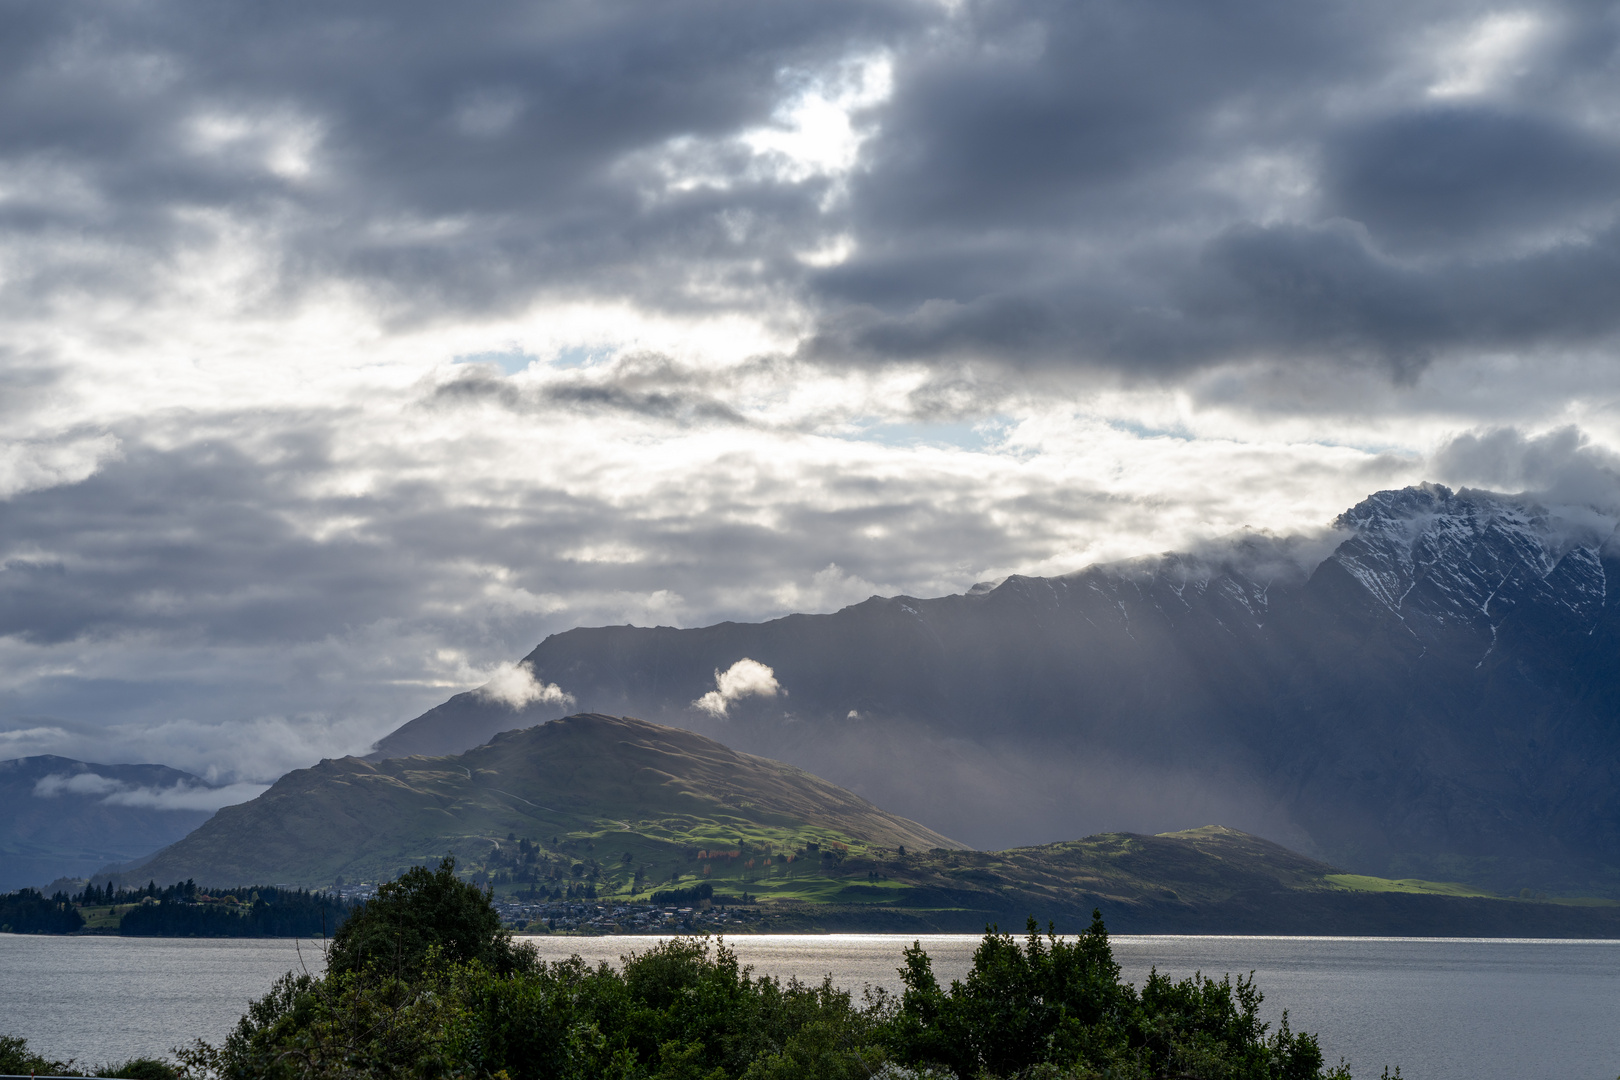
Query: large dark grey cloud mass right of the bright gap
x,y
1085,184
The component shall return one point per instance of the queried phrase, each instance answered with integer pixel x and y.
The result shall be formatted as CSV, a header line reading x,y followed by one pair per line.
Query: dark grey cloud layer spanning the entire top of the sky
x,y
1145,189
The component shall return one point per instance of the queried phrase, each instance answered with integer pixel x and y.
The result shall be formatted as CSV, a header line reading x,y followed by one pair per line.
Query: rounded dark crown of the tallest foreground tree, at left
x,y
425,911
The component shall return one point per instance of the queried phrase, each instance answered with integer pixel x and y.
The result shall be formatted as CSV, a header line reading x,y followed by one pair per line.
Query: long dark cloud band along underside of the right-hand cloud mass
x,y
1285,294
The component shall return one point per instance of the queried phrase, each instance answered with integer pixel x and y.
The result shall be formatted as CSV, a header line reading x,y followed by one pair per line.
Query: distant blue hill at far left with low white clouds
x,y
64,819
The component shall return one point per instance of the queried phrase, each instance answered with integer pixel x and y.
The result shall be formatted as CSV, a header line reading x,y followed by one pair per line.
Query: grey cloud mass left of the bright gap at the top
x,y
505,121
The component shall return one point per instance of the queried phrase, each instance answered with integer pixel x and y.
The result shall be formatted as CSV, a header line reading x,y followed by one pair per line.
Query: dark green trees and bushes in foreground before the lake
x,y
424,984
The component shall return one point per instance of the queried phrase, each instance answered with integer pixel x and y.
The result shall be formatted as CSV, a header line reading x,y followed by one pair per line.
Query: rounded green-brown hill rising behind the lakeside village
x,y
612,794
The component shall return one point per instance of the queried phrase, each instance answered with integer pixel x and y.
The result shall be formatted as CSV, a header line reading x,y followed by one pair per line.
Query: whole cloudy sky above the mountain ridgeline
x,y
349,349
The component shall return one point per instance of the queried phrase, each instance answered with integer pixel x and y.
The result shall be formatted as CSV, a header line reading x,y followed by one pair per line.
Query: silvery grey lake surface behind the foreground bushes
x,y
1439,1008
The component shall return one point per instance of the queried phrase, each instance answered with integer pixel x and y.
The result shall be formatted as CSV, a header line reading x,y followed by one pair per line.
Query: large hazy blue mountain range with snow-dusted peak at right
x,y
1435,694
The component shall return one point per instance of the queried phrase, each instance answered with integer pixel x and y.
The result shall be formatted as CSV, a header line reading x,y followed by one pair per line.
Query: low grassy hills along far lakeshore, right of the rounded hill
x,y
1209,880
